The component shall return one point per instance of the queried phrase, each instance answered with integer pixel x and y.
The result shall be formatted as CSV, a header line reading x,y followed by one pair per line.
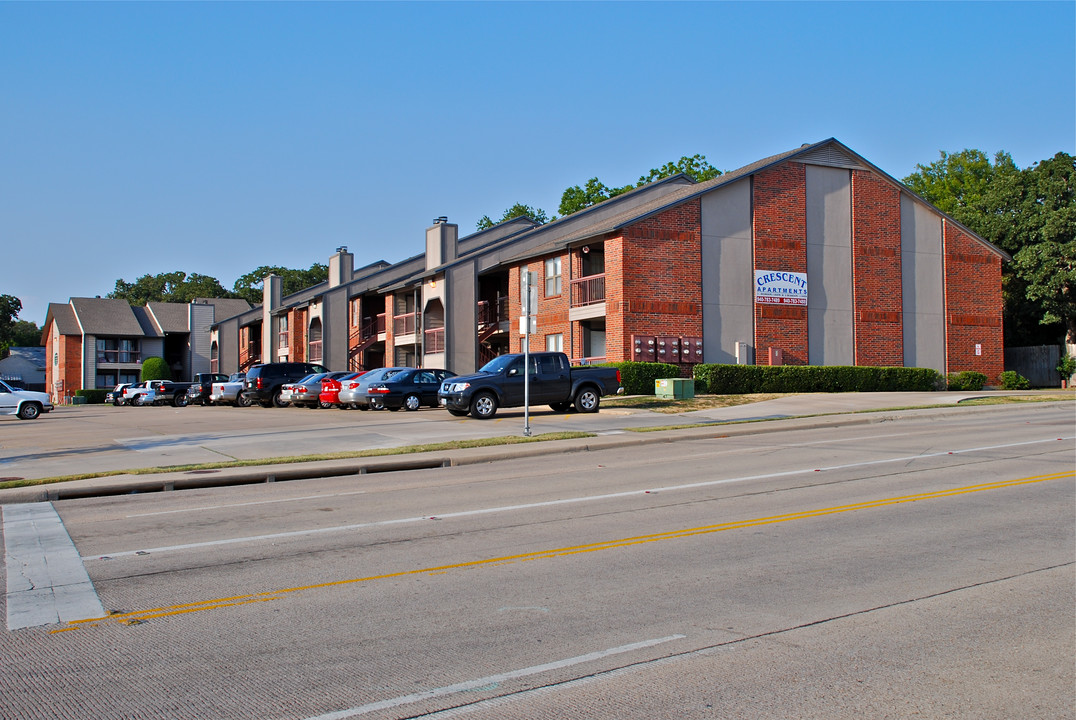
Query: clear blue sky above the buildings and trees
x,y
215,138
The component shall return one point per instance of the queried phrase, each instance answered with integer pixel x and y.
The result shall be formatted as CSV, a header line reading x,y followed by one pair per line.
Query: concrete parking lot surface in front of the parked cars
x,y
92,439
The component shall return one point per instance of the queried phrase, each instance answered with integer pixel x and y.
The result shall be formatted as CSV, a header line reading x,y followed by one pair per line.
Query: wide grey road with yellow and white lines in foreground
x,y
917,568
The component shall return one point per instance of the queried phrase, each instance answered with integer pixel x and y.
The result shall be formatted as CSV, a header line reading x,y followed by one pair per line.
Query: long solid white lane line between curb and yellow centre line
x,y
567,501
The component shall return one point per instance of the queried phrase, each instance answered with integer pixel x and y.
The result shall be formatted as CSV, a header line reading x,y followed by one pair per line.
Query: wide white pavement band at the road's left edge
x,y
47,582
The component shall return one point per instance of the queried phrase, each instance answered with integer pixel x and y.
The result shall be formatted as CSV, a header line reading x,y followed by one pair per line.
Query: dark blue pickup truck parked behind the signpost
x,y
554,383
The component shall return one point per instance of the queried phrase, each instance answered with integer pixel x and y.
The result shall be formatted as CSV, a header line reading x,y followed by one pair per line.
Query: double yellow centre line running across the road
x,y
131,618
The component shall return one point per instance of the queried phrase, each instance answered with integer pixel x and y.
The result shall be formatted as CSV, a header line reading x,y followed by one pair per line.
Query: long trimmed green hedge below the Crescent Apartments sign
x,y
743,379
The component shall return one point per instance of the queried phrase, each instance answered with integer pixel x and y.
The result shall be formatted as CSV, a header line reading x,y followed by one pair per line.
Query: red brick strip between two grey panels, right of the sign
x,y
876,272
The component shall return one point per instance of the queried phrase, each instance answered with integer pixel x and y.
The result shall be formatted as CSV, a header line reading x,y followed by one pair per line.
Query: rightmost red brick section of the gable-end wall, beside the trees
x,y
973,292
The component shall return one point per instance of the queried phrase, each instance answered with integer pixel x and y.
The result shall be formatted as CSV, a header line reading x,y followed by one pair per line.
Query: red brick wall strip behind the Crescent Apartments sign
x,y
780,224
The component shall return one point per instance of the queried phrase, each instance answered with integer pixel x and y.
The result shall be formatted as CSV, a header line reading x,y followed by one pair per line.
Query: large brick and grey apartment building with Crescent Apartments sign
x,y
813,257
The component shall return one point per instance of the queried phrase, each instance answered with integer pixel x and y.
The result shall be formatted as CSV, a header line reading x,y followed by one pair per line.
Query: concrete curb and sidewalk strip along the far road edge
x,y
791,413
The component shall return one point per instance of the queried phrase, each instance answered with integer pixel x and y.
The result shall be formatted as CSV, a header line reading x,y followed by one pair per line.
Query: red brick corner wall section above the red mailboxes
x,y
660,289
